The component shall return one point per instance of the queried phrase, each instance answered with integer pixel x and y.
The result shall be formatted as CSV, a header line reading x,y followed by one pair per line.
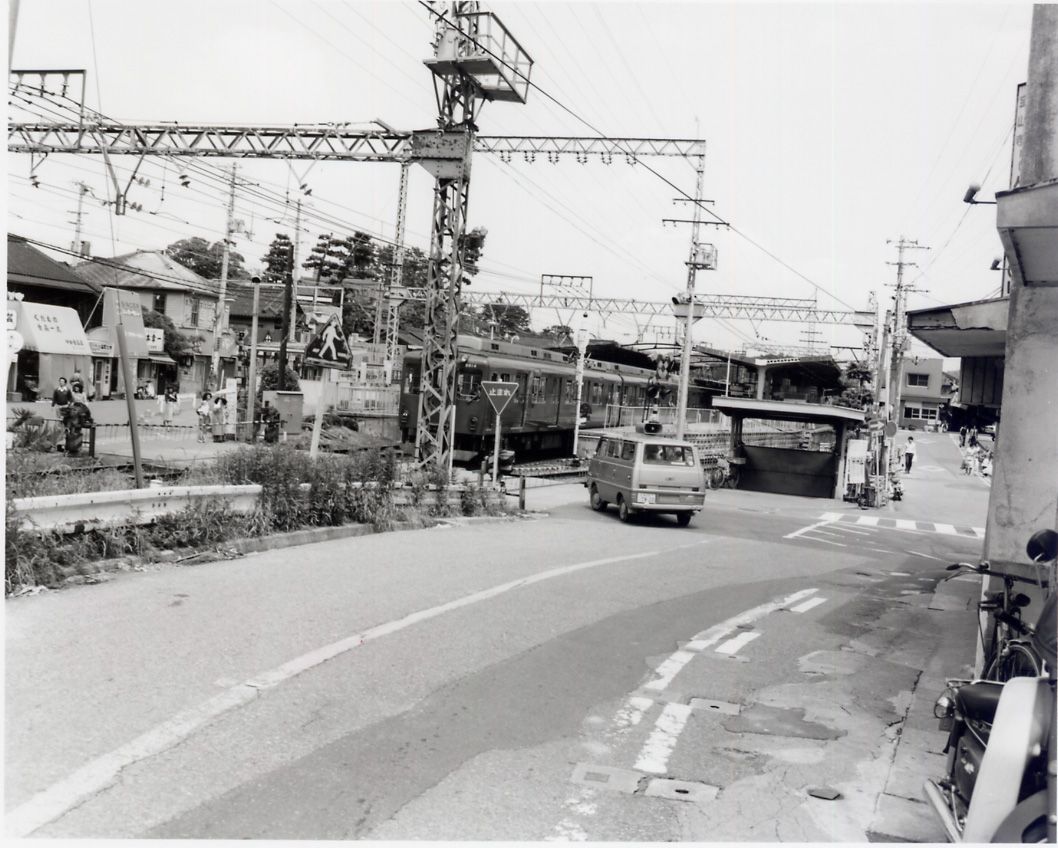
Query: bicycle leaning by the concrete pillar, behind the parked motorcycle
x,y
1009,652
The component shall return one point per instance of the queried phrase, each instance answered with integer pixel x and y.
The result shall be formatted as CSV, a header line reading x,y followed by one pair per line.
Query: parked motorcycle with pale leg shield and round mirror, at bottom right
x,y
1001,771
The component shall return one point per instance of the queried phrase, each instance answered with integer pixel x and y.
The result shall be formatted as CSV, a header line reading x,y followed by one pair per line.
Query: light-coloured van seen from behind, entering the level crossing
x,y
647,473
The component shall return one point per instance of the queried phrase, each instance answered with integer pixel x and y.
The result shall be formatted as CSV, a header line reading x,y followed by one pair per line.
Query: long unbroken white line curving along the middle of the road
x,y
100,773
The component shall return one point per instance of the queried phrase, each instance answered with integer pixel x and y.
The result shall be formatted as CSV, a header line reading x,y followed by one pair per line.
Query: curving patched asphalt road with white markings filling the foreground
x,y
518,680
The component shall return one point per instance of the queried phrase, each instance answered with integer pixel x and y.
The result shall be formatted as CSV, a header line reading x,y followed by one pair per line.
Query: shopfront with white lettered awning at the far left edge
x,y
53,346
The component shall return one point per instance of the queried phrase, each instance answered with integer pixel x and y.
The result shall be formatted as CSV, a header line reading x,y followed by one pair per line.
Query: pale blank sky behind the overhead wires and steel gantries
x,y
832,131
